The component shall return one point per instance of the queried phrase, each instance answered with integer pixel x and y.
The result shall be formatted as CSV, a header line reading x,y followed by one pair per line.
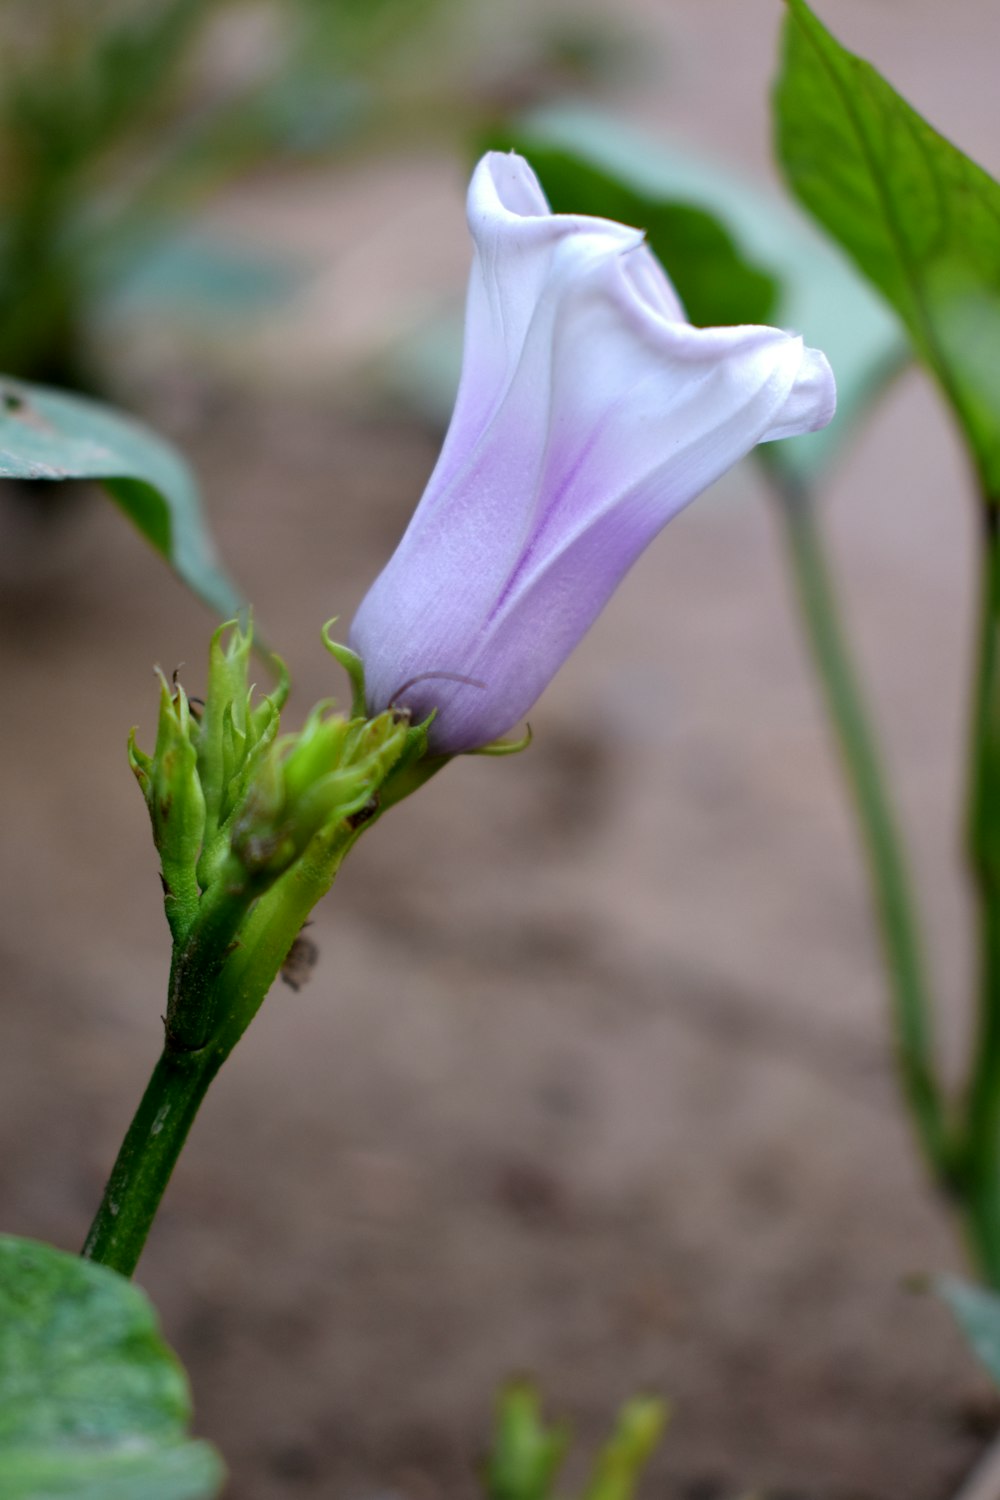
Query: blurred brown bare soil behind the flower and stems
x,y
593,1076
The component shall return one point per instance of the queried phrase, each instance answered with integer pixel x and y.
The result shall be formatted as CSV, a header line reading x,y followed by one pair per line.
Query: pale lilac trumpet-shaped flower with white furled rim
x,y
588,415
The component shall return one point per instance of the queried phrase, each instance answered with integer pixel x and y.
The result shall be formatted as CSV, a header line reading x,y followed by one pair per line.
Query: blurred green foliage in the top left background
x,y
121,119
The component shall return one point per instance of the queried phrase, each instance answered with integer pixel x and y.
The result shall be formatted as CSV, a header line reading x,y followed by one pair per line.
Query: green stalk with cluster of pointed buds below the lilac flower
x,y
251,827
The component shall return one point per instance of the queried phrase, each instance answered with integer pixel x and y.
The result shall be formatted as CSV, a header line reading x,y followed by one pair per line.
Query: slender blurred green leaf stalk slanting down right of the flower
x,y
893,895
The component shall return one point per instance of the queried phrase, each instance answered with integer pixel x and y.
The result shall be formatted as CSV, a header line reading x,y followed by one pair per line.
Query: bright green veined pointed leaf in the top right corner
x,y
917,215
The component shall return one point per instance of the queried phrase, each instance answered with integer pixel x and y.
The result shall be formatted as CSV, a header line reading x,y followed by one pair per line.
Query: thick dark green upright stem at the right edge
x,y
981,1141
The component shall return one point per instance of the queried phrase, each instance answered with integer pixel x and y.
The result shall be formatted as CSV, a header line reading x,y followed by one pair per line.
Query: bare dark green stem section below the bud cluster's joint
x,y
149,1153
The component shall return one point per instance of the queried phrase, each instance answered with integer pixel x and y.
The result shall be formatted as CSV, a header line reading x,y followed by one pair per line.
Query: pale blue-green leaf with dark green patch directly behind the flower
x,y
818,293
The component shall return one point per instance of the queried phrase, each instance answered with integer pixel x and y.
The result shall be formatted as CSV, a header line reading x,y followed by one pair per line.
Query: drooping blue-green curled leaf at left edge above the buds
x,y
50,436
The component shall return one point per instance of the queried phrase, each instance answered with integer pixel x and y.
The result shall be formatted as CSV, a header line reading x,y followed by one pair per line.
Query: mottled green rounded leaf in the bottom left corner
x,y
94,1406
